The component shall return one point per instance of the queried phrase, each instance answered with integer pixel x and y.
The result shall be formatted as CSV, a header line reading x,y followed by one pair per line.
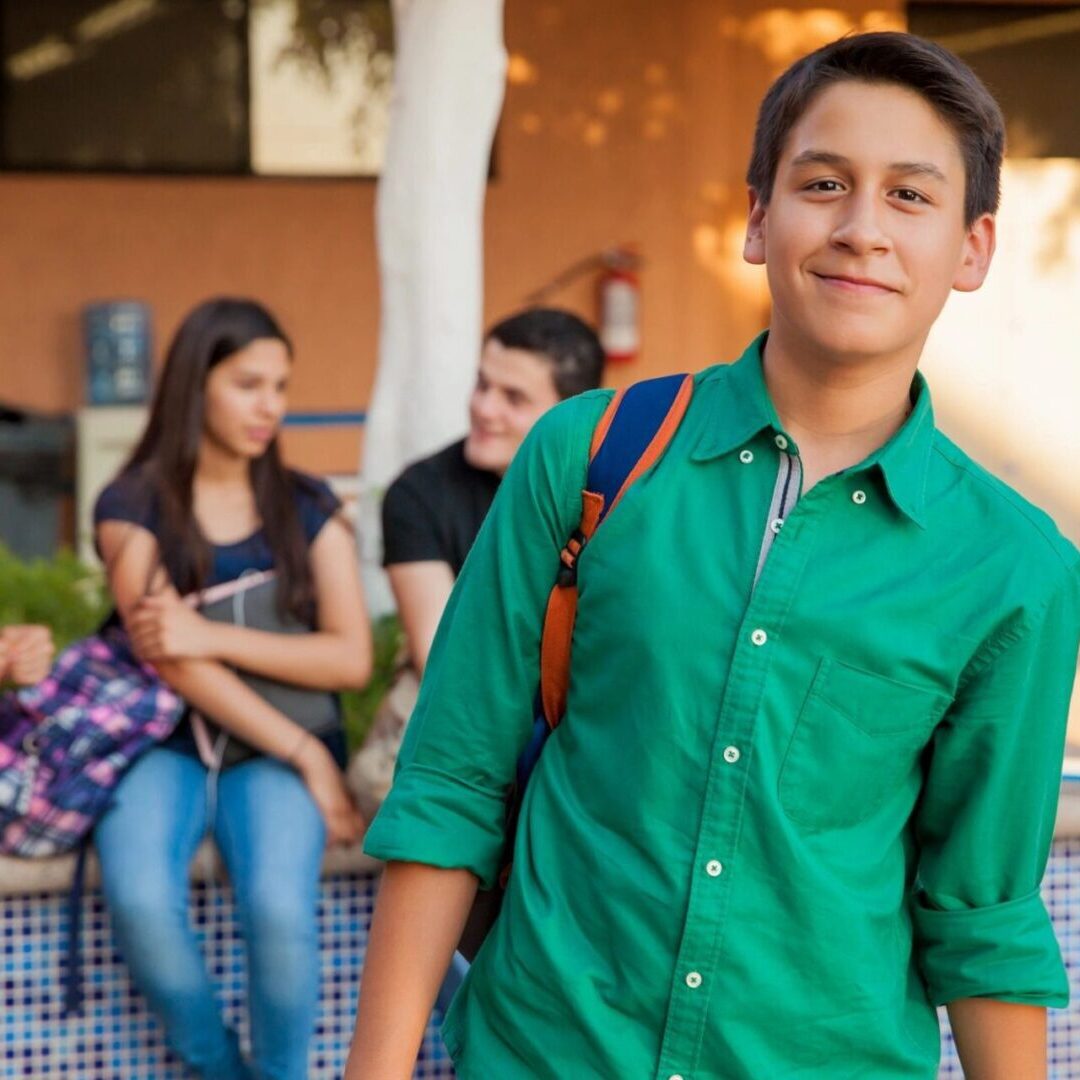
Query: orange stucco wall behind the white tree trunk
x,y
625,120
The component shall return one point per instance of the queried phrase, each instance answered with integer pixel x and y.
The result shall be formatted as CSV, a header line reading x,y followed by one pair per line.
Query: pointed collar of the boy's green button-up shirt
x,y
737,408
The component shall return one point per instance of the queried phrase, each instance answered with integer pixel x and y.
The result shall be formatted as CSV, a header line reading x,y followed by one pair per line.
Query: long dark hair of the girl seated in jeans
x,y
164,464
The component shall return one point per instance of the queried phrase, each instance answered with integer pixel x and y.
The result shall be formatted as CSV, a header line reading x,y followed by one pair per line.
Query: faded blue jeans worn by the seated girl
x,y
272,838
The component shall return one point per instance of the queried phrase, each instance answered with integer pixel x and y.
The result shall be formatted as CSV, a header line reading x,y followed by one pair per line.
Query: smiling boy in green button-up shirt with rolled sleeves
x,y
805,788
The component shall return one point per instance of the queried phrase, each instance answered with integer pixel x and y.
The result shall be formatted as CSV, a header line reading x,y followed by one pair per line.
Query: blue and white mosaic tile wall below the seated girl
x,y
117,1038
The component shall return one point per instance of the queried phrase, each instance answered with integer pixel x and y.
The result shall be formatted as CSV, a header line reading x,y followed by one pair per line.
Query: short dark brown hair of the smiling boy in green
x,y
937,75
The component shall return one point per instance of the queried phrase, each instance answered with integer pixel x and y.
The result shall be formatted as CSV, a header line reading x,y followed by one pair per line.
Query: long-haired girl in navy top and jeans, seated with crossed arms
x,y
204,501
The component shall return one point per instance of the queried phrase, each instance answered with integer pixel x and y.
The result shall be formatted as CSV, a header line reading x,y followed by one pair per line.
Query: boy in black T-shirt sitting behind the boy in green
x,y
433,512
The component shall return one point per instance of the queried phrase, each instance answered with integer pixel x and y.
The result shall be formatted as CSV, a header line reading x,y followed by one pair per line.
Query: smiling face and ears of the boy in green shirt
x,y
863,237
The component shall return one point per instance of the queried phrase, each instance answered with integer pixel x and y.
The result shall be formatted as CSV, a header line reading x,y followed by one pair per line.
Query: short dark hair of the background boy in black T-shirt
x,y
566,342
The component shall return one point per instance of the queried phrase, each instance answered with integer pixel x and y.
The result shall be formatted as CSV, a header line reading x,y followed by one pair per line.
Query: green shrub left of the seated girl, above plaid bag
x,y
61,592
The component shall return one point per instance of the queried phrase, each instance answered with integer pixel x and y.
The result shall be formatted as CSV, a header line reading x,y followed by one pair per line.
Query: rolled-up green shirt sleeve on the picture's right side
x,y
985,822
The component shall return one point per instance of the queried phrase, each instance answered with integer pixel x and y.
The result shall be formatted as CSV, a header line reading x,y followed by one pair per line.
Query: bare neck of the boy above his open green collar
x,y
838,411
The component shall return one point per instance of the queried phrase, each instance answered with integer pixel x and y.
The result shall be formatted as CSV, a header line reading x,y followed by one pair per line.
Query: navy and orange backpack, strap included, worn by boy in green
x,y
631,437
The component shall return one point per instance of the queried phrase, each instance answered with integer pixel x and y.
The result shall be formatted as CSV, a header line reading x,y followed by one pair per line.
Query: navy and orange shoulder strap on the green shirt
x,y
631,437
